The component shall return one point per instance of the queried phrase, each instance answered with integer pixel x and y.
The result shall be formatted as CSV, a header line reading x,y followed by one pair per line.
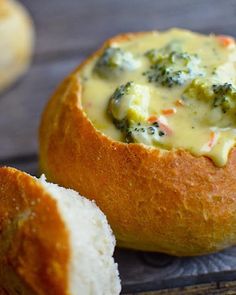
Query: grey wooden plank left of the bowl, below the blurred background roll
x,y
20,107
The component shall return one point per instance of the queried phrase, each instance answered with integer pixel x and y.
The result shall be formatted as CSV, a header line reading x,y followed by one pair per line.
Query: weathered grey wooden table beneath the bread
x,y
67,31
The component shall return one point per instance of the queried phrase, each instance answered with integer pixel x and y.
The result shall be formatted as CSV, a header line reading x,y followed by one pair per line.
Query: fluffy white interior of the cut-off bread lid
x,y
92,267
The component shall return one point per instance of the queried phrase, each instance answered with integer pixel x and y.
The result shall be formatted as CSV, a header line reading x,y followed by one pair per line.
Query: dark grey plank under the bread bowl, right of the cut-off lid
x,y
142,271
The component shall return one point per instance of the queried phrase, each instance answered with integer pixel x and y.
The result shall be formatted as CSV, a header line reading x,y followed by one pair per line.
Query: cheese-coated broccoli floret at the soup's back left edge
x,y
114,61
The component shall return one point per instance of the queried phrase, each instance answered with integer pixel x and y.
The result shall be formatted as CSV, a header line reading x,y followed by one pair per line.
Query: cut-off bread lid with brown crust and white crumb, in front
x,y
52,240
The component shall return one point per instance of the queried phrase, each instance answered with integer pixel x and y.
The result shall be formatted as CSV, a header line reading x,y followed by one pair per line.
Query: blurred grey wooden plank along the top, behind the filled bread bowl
x,y
80,26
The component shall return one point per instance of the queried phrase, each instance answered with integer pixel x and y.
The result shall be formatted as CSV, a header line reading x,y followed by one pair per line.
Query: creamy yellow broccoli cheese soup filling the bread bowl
x,y
169,90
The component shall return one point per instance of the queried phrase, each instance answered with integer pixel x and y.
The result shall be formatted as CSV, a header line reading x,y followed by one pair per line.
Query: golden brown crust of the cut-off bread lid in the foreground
x,y
34,242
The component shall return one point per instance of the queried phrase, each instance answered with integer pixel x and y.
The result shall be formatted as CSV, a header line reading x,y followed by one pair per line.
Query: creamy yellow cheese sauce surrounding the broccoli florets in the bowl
x,y
195,123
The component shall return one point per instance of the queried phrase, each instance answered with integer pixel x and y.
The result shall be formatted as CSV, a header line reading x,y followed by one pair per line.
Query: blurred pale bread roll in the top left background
x,y
16,41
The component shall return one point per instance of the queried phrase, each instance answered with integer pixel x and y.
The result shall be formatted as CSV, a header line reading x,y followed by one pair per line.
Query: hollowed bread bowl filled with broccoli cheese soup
x,y
174,192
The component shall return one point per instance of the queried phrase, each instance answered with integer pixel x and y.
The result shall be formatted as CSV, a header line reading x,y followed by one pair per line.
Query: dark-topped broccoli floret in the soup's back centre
x,y
172,68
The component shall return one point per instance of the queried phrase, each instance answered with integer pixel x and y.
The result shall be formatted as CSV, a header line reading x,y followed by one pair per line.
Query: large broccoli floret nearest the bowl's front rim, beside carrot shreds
x,y
128,108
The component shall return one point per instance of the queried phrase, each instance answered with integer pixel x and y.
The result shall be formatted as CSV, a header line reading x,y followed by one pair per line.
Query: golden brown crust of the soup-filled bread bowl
x,y
171,202
